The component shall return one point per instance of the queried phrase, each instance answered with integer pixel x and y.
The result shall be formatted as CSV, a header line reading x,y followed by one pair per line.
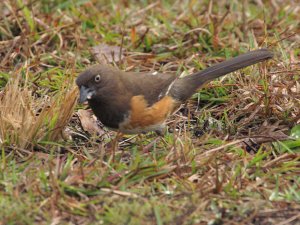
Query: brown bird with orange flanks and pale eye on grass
x,y
141,102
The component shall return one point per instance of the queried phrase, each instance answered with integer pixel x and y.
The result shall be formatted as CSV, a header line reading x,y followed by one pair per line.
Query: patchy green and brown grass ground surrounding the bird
x,y
227,157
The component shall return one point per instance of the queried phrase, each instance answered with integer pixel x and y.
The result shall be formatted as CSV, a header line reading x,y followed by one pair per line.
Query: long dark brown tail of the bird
x,y
185,87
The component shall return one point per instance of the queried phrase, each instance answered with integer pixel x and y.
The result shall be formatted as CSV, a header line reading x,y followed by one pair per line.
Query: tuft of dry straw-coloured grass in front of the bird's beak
x,y
21,123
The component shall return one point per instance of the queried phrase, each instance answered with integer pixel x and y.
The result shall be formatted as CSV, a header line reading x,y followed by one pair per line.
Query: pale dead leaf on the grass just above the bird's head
x,y
104,53
